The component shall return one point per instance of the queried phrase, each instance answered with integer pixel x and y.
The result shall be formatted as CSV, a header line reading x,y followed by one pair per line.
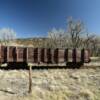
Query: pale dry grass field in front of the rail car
x,y
51,84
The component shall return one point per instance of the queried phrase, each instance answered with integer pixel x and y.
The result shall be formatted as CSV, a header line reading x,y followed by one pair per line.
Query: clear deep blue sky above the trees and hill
x,y
32,18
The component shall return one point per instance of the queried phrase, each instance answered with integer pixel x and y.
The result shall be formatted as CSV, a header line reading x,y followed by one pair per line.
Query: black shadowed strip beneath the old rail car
x,y
18,66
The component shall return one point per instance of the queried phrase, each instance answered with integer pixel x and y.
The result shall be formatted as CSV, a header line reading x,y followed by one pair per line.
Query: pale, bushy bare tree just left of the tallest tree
x,y
56,38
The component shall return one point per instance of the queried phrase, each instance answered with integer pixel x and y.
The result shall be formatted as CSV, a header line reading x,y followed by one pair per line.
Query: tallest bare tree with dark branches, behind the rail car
x,y
75,31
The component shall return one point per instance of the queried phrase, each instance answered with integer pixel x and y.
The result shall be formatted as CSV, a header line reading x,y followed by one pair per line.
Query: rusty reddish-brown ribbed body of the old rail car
x,y
41,56
